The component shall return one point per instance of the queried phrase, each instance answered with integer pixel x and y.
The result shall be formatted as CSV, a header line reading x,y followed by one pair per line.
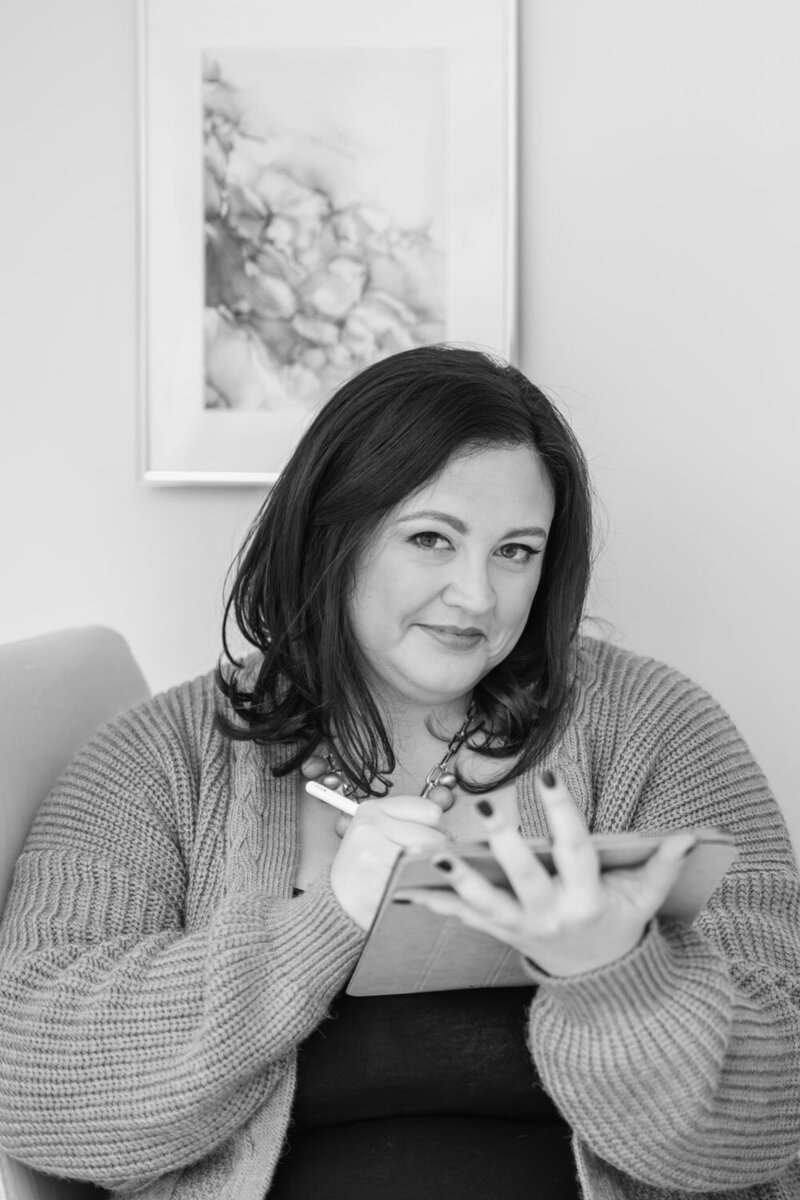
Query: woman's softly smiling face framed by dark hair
x,y
444,589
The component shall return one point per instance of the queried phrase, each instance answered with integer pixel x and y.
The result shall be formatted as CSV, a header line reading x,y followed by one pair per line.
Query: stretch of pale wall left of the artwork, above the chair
x,y
82,539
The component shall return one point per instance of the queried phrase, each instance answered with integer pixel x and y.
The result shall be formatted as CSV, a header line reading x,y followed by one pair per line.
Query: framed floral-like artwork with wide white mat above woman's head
x,y
321,187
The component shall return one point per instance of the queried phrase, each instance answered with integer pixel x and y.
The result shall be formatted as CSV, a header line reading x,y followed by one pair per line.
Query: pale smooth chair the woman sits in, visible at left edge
x,y
56,691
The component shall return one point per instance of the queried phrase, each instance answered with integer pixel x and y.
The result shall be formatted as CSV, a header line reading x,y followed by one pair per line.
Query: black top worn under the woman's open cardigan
x,y
424,1096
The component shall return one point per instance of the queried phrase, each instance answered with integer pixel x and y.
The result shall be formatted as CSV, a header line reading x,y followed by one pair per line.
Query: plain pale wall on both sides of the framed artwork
x,y
660,257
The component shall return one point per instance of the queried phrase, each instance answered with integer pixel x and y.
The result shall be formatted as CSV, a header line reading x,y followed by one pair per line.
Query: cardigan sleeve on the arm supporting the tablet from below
x,y
681,1065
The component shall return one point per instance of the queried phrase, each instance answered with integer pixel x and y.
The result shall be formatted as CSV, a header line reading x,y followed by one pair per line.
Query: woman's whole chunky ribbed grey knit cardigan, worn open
x,y
157,975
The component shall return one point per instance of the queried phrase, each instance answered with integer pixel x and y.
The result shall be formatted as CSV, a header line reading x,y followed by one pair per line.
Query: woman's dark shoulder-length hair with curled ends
x,y
386,434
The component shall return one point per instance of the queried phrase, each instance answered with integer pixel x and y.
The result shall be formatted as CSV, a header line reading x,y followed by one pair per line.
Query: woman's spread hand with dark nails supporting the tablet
x,y
575,921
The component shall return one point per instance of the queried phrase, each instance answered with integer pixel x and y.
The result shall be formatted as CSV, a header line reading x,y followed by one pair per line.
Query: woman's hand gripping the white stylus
x,y
372,841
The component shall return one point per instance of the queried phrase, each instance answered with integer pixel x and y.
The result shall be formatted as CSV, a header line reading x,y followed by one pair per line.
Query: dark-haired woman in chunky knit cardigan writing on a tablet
x,y
185,916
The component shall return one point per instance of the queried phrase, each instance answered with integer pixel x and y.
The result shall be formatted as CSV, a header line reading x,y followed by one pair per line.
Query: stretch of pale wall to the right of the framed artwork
x,y
661,259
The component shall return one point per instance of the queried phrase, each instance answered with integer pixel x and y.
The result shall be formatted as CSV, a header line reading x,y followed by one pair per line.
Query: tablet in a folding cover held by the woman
x,y
411,949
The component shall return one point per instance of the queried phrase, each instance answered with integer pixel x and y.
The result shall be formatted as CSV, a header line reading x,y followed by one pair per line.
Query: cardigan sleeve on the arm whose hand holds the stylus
x,y
131,1043
